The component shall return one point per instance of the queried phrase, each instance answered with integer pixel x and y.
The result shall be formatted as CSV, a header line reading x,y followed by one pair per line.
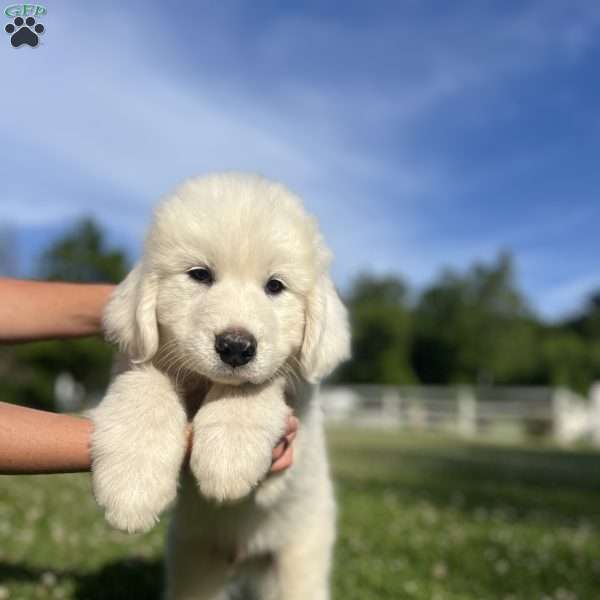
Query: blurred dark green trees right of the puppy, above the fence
x,y
473,326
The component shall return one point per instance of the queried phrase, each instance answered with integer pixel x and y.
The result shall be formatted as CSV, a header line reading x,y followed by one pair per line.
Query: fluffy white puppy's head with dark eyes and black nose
x,y
233,285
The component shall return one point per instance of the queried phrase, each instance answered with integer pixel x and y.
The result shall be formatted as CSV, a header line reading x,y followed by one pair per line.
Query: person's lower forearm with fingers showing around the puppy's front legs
x,y
37,442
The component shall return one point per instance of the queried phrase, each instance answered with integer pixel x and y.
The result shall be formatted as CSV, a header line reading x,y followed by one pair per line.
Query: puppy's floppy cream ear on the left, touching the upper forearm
x,y
130,316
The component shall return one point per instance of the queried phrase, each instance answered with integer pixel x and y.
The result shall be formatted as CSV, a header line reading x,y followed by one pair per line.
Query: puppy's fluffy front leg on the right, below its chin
x,y
234,434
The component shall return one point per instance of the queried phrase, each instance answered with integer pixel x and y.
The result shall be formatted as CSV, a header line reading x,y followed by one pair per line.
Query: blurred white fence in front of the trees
x,y
469,411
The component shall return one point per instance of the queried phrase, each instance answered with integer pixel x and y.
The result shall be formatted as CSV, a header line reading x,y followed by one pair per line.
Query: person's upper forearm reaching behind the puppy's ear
x,y
35,310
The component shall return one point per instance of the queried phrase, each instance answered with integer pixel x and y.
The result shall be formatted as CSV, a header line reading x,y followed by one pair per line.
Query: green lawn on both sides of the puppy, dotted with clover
x,y
420,517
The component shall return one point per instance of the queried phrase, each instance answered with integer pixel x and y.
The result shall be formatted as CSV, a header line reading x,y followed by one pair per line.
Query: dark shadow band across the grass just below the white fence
x,y
560,486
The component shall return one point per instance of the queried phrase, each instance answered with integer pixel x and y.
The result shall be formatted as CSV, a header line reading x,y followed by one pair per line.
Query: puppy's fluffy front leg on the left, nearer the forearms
x,y
138,446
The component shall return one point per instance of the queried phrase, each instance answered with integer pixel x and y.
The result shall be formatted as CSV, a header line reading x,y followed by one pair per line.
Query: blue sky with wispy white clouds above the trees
x,y
422,134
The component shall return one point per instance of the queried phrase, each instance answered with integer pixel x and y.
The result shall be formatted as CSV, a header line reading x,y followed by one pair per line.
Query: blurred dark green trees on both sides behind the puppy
x,y
473,326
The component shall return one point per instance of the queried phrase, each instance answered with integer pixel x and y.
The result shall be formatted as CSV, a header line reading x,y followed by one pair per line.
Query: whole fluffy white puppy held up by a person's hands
x,y
229,320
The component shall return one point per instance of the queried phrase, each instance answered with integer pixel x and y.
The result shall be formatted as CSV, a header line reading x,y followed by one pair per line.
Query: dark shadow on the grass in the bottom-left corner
x,y
134,579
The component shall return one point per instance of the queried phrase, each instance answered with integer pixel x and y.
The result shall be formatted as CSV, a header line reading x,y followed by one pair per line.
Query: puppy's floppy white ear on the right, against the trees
x,y
326,332
